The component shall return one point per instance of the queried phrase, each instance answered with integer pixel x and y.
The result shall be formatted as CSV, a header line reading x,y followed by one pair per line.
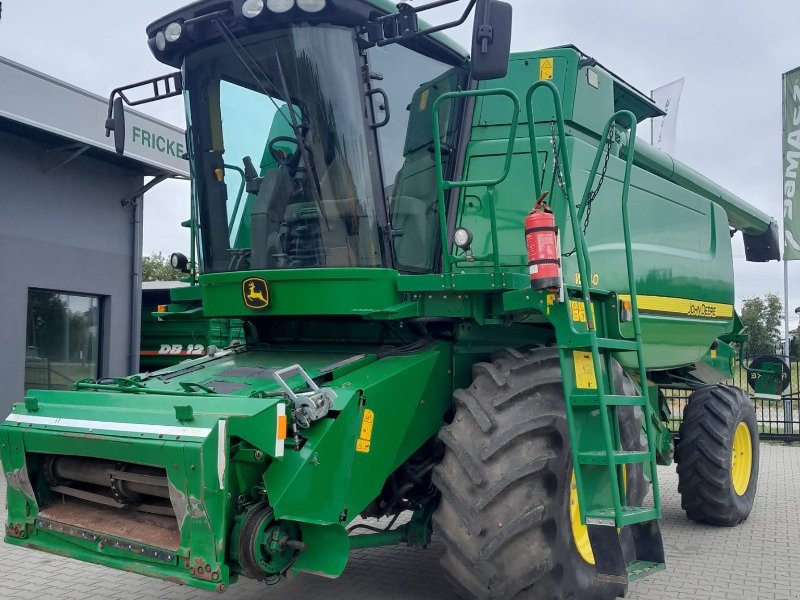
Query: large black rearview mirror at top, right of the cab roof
x,y
491,39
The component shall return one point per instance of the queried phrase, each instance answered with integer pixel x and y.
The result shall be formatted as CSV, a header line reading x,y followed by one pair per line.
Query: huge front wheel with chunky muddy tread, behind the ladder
x,y
508,515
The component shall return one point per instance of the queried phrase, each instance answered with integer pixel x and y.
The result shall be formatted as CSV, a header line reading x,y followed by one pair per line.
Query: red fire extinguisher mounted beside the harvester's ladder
x,y
541,238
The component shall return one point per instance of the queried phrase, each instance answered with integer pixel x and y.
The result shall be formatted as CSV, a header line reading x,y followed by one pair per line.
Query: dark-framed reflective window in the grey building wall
x,y
63,339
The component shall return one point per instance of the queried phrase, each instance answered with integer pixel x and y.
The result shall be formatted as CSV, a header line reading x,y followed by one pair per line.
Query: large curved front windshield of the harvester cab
x,y
282,163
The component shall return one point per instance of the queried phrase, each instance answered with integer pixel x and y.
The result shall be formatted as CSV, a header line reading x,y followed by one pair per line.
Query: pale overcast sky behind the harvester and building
x,y
731,53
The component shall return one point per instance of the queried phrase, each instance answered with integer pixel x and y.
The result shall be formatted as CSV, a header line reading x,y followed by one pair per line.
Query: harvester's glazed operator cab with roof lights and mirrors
x,y
309,129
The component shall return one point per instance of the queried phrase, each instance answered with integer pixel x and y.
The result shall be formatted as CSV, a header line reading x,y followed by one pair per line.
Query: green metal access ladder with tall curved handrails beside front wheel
x,y
586,352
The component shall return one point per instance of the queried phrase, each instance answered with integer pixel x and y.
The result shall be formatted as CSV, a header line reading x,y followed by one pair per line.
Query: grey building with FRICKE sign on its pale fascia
x,y
70,233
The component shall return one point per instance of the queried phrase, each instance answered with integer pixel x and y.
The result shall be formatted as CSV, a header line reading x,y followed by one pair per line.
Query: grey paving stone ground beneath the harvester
x,y
758,560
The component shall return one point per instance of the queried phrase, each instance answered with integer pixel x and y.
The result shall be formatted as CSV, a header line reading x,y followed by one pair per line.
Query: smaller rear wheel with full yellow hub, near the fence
x,y
717,456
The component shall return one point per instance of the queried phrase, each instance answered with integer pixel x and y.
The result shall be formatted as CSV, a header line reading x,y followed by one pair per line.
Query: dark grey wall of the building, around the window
x,y
62,230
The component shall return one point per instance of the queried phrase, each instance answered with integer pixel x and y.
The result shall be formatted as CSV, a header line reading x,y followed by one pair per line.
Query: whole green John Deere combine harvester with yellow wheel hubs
x,y
465,287
